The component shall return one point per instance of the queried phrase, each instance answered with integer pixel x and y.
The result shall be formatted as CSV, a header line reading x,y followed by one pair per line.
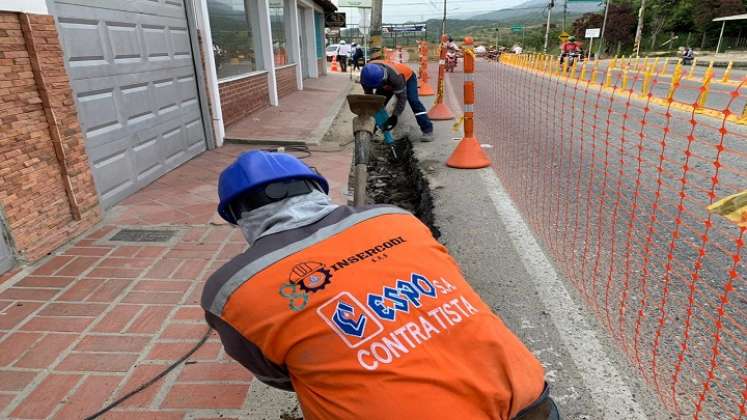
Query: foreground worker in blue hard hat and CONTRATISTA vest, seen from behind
x,y
360,311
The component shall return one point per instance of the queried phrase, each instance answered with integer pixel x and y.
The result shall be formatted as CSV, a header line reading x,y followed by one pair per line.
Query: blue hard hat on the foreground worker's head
x,y
256,169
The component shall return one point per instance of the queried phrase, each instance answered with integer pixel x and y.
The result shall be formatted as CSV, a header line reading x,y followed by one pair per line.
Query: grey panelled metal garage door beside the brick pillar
x,y
131,68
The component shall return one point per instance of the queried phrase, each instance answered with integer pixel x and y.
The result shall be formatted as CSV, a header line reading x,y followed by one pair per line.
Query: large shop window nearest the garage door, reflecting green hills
x,y
235,41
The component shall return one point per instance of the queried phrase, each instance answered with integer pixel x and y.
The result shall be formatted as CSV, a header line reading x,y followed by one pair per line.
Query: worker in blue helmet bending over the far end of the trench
x,y
388,78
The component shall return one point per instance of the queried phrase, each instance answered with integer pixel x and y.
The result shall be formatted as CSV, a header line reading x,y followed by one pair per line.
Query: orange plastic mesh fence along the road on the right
x,y
614,165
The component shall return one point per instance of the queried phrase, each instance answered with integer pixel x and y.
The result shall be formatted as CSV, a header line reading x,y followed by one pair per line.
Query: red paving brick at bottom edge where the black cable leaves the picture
x,y
89,397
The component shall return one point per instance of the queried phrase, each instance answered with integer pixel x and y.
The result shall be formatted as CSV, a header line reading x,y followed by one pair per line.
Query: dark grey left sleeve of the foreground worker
x,y
249,355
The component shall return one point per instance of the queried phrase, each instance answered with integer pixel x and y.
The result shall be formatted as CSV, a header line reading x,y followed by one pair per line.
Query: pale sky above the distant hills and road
x,y
400,11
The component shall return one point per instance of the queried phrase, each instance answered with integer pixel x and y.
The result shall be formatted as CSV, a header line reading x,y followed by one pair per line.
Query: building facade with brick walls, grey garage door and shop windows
x,y
99,99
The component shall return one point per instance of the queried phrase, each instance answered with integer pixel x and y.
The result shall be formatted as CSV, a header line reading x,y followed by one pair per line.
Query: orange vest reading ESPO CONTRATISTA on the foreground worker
x,y
373,320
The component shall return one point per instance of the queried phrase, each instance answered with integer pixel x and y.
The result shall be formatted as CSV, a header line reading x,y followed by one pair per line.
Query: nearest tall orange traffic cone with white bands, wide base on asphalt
x,y
469,153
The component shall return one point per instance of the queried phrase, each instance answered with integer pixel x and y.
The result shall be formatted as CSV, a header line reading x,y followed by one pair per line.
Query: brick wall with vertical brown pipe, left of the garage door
x,y
47,193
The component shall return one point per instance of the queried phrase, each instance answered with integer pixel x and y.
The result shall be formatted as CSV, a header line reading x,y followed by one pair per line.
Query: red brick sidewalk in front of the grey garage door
x,y
98,318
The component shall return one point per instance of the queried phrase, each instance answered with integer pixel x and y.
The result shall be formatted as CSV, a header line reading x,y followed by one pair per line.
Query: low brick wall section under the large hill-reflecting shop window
x,y
239,98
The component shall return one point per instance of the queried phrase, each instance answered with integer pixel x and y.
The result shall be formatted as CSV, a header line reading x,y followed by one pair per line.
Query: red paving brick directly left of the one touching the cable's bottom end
x,y
45,397
